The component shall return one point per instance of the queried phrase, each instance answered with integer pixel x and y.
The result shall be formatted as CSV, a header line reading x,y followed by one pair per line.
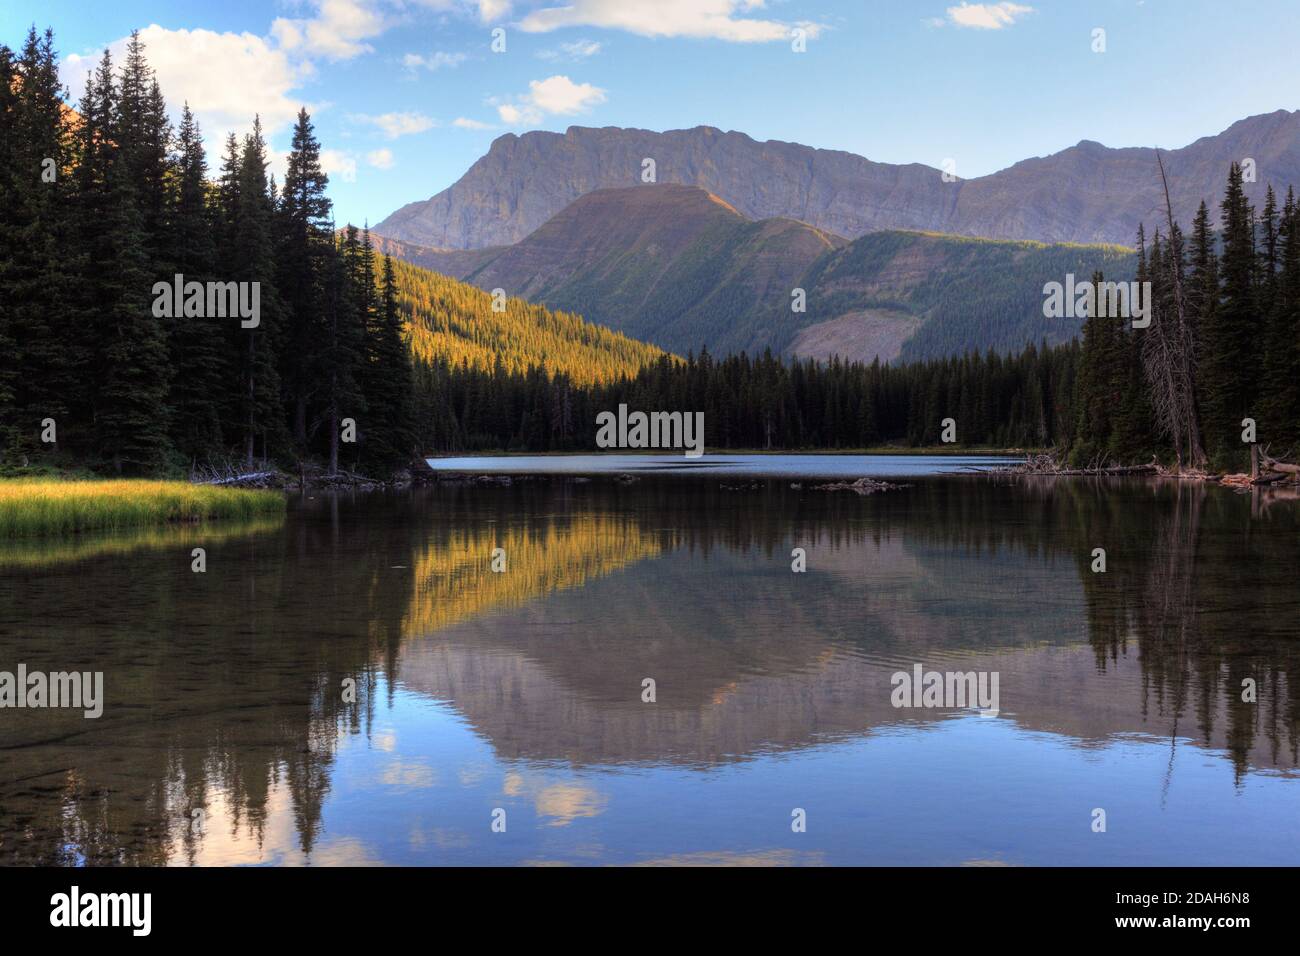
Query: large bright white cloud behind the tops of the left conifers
x,y
227,77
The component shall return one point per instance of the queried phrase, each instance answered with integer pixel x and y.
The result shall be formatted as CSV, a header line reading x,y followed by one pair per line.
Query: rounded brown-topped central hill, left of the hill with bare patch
x,y
661,263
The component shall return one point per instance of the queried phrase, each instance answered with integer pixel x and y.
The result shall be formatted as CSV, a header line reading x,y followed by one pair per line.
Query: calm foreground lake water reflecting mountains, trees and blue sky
x,y
523,690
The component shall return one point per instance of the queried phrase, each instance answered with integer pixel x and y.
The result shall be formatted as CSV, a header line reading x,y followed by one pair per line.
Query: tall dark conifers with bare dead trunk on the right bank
x,y
1220,364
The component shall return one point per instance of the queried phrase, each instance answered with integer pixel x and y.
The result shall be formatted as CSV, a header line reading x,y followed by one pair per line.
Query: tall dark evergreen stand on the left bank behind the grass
x,y
102,202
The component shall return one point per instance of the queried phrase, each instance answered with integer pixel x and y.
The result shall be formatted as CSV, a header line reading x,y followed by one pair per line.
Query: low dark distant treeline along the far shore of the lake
x,y
768,404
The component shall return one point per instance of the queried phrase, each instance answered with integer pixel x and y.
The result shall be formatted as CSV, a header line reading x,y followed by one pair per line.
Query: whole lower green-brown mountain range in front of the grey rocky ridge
x,y
679,267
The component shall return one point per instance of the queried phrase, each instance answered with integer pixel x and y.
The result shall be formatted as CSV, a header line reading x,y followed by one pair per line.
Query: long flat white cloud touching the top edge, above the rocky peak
x,y
696,19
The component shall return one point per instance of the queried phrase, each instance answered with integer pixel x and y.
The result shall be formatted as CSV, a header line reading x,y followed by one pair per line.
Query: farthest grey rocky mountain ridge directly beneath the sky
x,y
1087,193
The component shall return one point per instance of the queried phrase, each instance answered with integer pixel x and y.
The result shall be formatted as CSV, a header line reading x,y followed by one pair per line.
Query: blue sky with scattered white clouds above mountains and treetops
x,y
408,94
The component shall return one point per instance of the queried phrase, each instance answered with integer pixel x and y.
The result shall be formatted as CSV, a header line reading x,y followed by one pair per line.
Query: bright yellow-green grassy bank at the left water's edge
x,y
44,507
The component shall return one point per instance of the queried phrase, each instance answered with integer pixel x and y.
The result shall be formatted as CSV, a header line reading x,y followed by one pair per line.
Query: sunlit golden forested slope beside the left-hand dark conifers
x,y
453,322
